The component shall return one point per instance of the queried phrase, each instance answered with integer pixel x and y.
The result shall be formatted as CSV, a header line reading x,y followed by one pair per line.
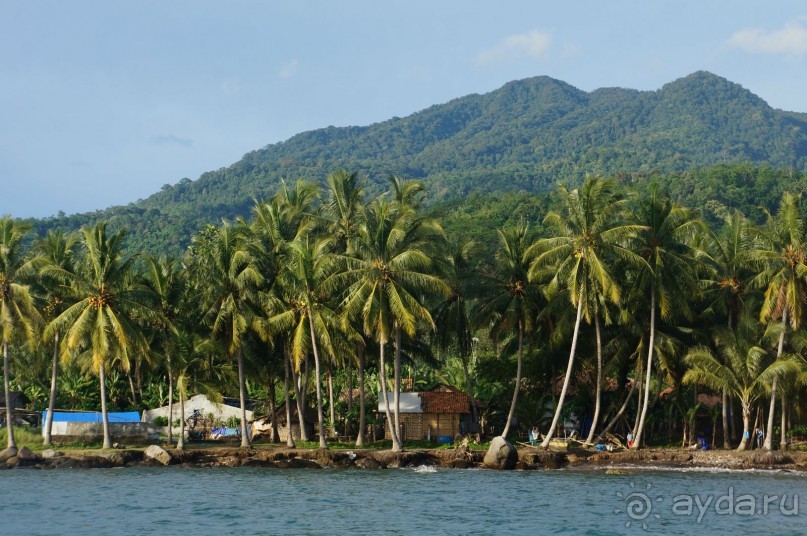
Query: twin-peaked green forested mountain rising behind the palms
x,y
528,135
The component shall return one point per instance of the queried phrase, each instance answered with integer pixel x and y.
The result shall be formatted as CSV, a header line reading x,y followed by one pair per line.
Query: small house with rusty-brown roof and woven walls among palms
x,y
440,412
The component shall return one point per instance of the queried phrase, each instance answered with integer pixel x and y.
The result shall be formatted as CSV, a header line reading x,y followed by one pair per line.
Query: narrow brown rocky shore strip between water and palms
x,y
459,458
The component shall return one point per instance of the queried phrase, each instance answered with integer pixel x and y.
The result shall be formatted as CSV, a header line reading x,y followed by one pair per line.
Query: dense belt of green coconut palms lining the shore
x,y
558,312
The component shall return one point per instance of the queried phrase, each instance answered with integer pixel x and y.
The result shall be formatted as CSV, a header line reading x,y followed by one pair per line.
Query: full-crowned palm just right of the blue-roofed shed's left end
x,y
99,324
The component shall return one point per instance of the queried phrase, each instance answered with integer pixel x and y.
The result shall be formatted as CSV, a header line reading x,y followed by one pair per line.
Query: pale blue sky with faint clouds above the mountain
x,y
104,102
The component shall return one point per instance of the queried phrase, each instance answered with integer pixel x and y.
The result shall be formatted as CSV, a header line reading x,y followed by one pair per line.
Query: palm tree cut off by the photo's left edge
x,y
18,316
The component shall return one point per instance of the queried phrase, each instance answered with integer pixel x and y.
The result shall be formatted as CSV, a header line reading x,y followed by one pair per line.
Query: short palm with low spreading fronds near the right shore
x,y
741,366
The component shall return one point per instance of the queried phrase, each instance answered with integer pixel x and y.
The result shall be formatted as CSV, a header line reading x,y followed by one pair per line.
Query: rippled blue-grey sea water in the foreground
x,y
178,500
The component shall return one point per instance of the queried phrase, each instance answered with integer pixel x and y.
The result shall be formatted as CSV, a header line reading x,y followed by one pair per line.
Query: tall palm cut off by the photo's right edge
x,y
782,254
